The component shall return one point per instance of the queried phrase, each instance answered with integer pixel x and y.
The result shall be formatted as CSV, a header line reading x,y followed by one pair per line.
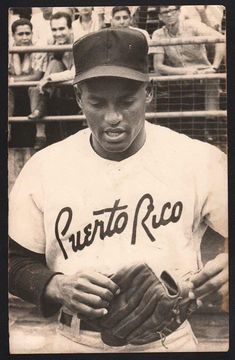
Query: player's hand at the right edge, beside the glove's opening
x,y
213,278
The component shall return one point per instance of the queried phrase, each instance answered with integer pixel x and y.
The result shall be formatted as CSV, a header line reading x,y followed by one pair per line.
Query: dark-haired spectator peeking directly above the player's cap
x,y
121,18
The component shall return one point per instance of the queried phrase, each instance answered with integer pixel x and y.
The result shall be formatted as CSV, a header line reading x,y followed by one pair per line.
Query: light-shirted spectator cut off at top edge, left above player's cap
x,y
88,21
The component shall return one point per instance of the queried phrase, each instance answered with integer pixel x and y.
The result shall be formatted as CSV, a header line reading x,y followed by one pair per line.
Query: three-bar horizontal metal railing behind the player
x,y
154,77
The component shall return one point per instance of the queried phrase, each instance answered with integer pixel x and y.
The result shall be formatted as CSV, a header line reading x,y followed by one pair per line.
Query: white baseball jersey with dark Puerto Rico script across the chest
x,y
84,211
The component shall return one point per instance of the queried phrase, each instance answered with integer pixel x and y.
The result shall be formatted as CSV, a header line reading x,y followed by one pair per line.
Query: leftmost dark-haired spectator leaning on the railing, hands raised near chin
x,y
23,67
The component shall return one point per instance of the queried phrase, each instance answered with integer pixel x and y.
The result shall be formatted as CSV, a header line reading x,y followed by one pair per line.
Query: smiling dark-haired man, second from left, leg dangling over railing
x,y
61,29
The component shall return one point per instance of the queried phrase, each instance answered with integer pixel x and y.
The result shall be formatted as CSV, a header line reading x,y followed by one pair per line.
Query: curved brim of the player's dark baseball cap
x,y
113,71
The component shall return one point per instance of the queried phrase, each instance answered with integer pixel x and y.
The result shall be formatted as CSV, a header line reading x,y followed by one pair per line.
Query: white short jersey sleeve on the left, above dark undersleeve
x,y
26,225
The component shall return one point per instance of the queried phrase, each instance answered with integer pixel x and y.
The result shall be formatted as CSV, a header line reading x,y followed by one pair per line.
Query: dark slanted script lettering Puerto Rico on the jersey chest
x,y
117,222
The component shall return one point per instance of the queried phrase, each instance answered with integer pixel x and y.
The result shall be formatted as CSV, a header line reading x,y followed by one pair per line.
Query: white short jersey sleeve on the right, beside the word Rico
x,y
215,208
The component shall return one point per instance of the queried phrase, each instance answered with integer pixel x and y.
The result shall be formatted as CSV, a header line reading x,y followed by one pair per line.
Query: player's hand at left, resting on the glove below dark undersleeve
x,y
86,293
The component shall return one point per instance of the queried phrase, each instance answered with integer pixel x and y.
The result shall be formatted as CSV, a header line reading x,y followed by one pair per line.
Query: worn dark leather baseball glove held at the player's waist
x,y
147,309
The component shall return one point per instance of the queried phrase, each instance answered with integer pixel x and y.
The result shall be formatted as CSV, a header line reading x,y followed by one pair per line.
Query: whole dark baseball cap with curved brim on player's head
x,y
111,52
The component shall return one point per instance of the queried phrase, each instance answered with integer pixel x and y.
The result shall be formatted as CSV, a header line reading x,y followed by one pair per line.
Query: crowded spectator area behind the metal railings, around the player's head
x,y
65,25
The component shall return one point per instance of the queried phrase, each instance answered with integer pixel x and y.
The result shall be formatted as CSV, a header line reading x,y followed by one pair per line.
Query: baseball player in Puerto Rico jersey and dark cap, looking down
x,y
106,225
